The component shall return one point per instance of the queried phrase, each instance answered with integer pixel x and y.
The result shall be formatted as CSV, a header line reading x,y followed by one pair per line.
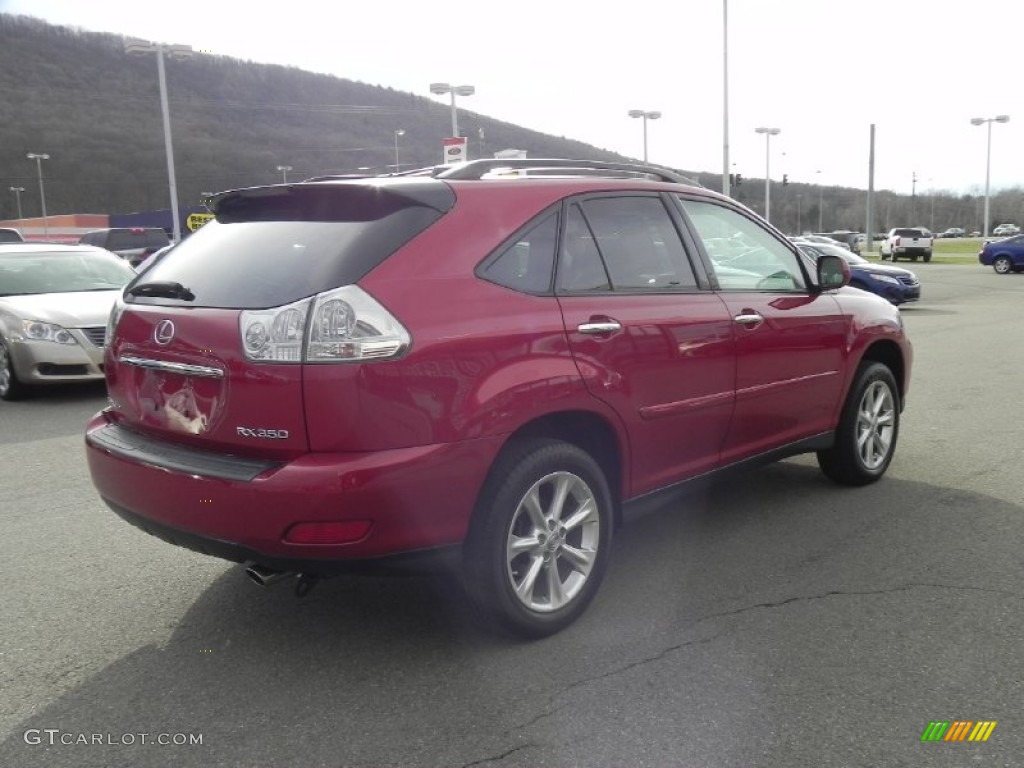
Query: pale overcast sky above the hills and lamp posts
x,y
822,71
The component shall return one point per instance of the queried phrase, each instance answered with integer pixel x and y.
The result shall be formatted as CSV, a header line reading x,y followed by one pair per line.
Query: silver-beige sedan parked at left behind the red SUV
x,y
55,304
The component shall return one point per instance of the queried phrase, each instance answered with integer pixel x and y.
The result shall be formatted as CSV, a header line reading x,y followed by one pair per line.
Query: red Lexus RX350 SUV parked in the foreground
x,y
493,361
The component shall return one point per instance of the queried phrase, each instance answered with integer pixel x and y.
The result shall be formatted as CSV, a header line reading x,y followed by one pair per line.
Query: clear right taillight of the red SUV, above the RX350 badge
x,y
347,325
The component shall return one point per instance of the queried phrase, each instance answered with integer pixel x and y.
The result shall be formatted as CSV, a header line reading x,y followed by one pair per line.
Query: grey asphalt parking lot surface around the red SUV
x,y
776,620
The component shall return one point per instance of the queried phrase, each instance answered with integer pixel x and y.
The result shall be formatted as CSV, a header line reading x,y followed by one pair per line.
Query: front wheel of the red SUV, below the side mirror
x,y
866,439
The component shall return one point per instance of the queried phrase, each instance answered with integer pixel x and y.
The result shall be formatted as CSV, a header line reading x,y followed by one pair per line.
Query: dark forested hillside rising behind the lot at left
x,y
77,97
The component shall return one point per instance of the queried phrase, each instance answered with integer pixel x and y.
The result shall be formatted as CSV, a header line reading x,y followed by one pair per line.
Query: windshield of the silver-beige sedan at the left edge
x,y
23,275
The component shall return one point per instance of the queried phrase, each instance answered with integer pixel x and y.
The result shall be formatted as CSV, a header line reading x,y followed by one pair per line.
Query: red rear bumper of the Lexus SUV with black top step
x,y
415,499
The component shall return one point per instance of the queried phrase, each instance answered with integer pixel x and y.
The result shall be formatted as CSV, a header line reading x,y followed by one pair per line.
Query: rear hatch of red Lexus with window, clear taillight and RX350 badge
x,y
208,347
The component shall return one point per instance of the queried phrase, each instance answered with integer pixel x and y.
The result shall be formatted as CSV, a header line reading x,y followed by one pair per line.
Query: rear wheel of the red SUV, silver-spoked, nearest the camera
x,y
540,540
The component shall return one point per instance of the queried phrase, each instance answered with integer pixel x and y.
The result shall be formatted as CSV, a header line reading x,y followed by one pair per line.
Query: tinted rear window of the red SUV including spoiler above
x,y
275,246
